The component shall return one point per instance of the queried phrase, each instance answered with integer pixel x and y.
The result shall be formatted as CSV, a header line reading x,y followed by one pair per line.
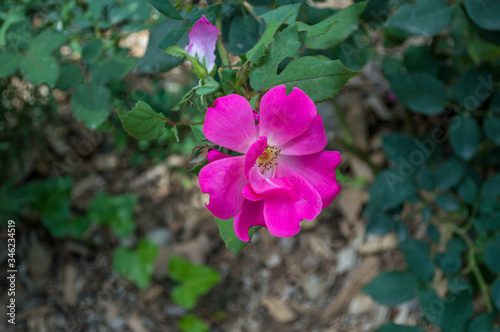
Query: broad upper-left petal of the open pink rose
x,y
230,123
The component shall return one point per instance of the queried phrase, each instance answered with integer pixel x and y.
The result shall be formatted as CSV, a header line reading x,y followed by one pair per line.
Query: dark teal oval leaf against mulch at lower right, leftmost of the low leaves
x,y
392,287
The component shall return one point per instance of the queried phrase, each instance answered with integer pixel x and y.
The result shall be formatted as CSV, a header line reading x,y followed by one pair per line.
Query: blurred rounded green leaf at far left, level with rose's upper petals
x,y
91,103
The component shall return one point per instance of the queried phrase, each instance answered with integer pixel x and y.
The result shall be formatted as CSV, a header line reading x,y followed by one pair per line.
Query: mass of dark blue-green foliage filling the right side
x,y
442,176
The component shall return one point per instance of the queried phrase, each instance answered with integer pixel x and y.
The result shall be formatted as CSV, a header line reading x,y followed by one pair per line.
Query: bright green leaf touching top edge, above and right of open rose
x,y
346,22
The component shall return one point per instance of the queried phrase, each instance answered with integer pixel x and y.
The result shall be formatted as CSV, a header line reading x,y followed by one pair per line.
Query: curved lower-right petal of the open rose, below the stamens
x,y
284,214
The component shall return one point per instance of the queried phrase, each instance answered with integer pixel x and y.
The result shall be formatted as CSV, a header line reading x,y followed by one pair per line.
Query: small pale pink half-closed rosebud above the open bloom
x,y
202,39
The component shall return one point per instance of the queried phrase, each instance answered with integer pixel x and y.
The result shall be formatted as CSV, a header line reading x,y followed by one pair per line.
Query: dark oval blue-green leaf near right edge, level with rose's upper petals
x,y
464,136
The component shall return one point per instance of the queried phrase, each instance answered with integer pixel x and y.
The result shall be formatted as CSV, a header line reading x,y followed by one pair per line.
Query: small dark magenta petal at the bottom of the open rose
x,y
251,214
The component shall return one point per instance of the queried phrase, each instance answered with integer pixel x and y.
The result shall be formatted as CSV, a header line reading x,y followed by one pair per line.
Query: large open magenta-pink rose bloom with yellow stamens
x,y
283,176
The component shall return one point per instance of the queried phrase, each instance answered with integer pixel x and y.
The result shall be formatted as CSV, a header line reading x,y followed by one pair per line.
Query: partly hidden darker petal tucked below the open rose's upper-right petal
x,y
312,141
